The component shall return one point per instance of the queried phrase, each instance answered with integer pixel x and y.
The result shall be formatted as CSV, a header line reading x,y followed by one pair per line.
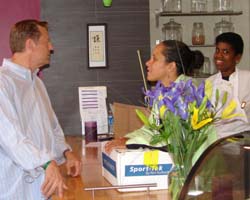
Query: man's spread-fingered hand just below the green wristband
x,y
53,183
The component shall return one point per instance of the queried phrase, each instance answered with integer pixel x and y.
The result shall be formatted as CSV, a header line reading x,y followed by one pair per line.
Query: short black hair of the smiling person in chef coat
x,y
232,39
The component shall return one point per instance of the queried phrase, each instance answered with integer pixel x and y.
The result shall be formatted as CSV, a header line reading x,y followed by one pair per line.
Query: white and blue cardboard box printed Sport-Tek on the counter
x,y
126,167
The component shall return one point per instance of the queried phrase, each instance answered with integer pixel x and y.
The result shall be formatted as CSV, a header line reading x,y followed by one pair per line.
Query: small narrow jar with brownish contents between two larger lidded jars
x,y
198,35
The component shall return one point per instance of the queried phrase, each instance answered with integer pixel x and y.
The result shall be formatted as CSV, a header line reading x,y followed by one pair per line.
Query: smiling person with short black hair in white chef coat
x,y
228,52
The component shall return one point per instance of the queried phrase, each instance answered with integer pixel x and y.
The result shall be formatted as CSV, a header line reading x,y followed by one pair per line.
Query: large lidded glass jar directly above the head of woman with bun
x,y
172,30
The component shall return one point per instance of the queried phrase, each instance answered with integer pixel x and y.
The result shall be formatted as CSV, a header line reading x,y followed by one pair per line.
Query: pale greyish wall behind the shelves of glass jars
x,y
241,25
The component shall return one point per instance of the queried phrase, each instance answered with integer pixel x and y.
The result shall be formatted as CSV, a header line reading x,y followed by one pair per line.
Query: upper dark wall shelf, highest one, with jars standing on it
x,y
162,14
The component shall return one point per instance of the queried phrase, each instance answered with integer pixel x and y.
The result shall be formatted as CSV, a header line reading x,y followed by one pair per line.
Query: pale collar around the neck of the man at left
x,y
19,69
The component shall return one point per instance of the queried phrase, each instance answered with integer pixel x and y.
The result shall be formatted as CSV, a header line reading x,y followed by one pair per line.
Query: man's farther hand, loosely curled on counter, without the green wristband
x,y
73,164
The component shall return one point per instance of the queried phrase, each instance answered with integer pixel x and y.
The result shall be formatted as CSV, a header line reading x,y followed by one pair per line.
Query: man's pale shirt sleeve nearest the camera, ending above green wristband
x,y
13,141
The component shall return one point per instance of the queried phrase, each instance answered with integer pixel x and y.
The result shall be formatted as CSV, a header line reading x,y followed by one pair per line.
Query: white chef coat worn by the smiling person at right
x,y
238,88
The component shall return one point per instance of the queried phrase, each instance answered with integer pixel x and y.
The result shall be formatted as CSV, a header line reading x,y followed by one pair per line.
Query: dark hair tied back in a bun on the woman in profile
x,y
186,60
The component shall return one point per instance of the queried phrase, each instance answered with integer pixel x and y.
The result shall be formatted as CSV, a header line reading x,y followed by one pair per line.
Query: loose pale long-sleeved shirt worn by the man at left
x,y
30,134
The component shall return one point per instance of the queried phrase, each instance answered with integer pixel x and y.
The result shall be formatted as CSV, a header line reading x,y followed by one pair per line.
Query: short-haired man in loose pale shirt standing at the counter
x,y
32,143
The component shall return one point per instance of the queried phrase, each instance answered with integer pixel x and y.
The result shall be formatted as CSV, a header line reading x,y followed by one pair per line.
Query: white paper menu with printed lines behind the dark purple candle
x,y
93,107
